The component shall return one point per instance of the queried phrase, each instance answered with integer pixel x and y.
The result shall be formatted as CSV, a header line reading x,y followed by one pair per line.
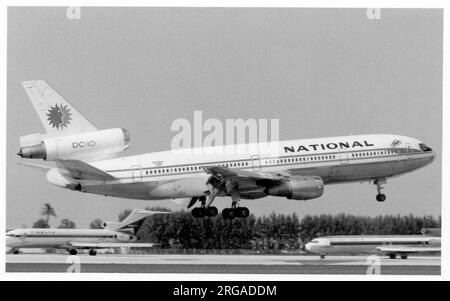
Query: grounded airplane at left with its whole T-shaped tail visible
x,y
113,235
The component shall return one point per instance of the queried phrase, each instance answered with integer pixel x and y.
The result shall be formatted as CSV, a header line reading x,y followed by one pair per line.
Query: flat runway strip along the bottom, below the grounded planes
x,y
218,264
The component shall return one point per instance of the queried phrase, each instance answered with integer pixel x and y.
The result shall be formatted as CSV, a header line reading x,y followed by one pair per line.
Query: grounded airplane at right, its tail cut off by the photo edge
x,y
391,245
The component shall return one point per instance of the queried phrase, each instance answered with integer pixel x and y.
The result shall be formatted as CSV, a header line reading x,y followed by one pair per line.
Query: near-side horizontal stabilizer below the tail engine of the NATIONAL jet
x,y
81,170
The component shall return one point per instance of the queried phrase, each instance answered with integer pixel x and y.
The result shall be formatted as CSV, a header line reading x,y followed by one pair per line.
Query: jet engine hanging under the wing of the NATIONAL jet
x,y
298,188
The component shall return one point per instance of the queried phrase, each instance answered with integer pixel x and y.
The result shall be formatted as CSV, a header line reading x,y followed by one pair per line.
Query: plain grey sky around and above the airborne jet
x,y
321,72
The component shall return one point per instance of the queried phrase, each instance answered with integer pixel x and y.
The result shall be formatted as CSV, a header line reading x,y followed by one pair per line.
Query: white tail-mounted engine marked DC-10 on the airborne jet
x,y
89,146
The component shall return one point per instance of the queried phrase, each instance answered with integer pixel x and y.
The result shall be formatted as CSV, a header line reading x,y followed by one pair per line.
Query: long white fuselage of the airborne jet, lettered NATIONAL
x,y
179,174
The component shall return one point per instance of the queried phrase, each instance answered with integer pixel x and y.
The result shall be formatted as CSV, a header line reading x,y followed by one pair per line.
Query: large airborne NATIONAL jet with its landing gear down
x,y
87,160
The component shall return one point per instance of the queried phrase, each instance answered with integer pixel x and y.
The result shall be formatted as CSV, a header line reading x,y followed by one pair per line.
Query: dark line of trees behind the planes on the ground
x,y
276,232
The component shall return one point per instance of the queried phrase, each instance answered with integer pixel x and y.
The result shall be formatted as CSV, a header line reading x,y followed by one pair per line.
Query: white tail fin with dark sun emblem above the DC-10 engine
x,y
56,114
